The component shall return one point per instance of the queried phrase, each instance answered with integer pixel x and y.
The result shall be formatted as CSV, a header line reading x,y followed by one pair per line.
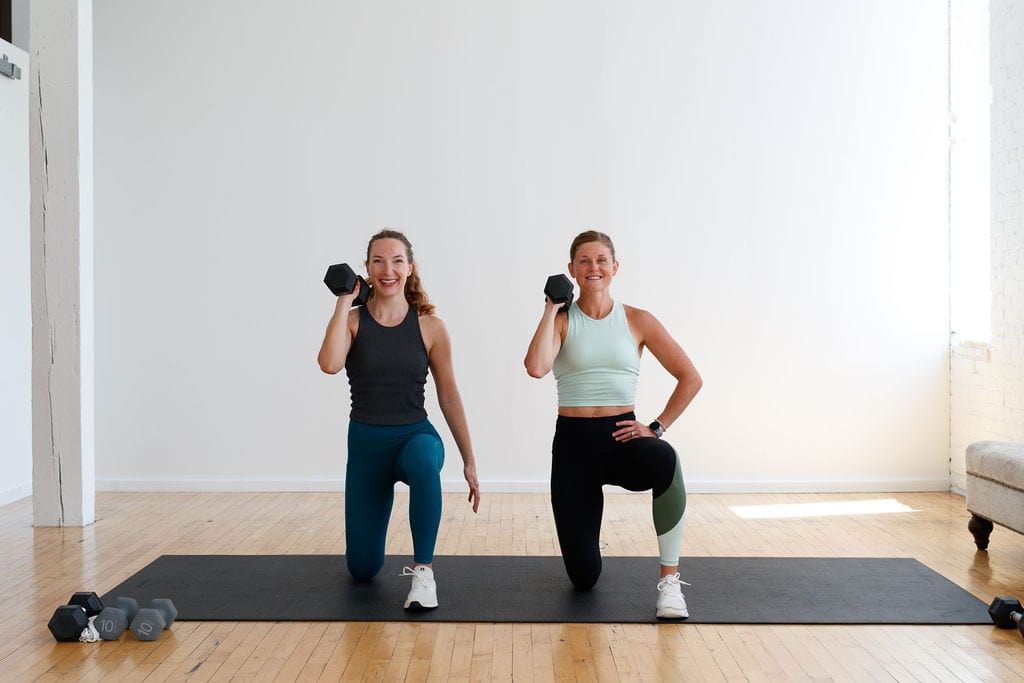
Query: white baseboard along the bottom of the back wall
x,y
693,487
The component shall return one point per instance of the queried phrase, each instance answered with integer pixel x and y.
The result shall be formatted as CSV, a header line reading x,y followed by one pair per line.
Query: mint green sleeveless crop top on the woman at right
x,y
599,364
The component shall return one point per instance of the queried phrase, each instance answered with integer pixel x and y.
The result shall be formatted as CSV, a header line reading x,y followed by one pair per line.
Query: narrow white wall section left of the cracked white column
x,y
16,285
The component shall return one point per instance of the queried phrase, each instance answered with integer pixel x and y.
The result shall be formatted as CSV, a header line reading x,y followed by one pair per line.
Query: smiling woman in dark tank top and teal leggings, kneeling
x,y
388,348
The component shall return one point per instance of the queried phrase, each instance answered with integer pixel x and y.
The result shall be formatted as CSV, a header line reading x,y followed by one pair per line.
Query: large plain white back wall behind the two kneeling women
x,y
775,176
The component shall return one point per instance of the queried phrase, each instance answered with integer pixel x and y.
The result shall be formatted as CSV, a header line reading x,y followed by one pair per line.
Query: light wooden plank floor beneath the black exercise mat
x,y
41,568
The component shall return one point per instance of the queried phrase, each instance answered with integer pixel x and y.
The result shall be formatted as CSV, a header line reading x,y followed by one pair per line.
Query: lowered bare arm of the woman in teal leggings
x,y
440,353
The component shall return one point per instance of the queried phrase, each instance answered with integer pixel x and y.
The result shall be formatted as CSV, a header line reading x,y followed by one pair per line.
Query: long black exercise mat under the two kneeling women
x,y
489,589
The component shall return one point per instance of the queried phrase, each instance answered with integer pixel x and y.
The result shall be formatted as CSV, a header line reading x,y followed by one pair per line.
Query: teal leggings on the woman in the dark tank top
x,y
378,457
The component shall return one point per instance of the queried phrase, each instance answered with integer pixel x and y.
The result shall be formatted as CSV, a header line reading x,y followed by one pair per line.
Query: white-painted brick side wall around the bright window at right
x,y
988,386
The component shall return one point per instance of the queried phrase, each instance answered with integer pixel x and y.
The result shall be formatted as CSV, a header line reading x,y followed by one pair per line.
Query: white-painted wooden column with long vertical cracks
x,y
62,163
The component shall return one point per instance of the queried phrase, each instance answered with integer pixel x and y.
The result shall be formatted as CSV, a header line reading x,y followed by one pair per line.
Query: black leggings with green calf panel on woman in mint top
x,y
584,456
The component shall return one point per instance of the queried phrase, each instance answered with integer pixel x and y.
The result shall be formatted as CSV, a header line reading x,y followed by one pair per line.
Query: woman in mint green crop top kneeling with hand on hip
x,y
594,350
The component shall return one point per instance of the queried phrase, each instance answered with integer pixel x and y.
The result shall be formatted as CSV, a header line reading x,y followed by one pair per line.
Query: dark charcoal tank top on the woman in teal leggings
x,y
388,371
